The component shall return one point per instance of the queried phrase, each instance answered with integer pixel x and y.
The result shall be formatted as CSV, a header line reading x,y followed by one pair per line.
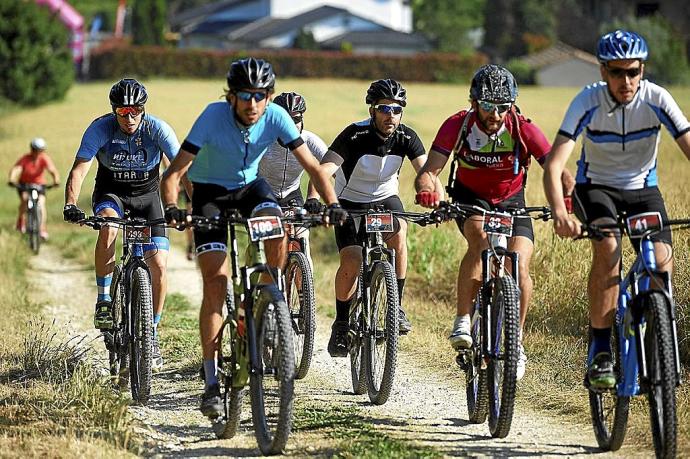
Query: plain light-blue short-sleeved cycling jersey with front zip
x,y
227,153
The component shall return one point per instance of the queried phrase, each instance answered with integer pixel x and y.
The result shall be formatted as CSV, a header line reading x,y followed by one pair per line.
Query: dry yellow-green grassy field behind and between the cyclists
x,y
557,322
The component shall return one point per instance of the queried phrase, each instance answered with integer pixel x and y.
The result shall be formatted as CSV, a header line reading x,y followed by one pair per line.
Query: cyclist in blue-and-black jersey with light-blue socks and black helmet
x,y
129,145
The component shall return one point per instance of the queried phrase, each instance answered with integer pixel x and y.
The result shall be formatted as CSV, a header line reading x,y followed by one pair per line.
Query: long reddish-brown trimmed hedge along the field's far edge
x,y
113,61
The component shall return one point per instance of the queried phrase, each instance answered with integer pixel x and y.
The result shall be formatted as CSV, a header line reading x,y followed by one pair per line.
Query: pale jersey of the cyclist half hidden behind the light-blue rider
x,y
282,170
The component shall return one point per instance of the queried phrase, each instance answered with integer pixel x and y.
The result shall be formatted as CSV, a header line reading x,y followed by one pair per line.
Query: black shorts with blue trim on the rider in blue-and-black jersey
x,y
147,205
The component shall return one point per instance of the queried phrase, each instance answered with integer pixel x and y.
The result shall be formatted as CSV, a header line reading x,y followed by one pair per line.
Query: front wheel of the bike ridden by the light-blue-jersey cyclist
x,y
272,386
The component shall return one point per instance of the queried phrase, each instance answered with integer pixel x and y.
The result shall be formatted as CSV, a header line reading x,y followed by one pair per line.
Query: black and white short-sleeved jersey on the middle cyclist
x,y
370,165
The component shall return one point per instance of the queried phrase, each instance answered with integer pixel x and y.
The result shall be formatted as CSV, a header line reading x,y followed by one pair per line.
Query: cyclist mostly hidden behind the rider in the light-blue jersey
x,y
282,170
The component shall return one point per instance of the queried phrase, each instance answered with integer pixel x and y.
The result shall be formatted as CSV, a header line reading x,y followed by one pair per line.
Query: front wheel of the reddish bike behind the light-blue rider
x,y
299,289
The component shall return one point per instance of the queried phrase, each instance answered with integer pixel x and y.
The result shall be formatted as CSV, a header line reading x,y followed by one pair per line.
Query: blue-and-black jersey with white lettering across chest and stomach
x,y
128,164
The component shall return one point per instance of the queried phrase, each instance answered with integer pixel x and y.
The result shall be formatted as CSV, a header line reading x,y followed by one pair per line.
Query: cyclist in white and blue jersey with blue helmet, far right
x,y
620,118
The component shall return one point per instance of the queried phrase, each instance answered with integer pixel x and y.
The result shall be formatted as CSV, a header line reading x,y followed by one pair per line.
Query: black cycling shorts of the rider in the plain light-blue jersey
x,y
211,200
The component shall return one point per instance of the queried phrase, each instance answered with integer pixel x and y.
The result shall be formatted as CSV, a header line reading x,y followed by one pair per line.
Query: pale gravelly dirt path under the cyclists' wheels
x,y
422,407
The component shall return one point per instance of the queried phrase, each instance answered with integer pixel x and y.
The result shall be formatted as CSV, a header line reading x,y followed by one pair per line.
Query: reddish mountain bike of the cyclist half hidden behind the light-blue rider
x,y
299,286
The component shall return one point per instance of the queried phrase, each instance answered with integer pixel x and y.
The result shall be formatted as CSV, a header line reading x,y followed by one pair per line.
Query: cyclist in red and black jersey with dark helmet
x,y
492,143
